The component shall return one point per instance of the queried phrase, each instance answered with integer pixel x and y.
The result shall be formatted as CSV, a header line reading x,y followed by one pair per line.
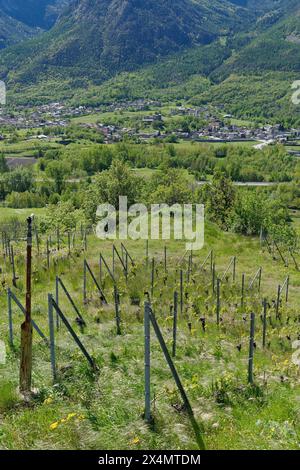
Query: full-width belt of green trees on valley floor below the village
x,y
61,171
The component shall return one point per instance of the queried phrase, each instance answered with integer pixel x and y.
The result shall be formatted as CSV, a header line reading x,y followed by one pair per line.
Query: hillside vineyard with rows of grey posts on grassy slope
x,y
143,345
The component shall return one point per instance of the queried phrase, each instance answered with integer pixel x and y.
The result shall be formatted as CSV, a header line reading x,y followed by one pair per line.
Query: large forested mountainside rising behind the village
x,y
242,55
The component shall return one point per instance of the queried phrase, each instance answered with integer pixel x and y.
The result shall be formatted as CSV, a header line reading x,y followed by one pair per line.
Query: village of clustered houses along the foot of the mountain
x,y
150,119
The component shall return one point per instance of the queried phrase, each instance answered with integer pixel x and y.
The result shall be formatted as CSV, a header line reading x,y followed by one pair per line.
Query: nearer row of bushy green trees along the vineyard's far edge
x,y
245,211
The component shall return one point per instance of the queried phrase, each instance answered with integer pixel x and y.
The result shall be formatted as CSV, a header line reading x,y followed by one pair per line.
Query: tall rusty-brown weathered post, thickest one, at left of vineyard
x,y
26,328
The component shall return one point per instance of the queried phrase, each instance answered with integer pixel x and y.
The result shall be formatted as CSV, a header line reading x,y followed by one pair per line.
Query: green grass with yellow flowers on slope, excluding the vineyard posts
x,y
108,407
